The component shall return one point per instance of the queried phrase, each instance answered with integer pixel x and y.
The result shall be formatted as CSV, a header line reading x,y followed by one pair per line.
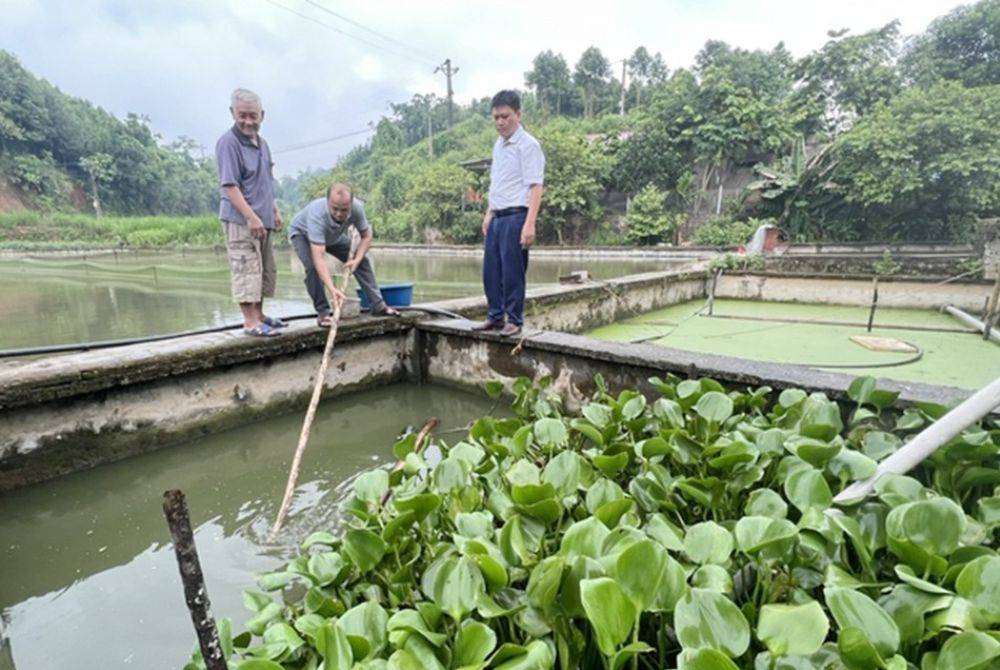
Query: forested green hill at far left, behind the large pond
x,y
57,150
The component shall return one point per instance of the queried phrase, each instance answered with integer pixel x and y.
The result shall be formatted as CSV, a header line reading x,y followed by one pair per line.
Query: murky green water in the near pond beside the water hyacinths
x,y
88,578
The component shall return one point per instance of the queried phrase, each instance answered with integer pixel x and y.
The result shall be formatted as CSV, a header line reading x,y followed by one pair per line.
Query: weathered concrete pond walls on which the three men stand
x,y
67,413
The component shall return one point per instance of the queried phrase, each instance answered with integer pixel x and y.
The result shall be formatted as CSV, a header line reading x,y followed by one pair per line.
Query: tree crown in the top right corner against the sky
x,y
963,45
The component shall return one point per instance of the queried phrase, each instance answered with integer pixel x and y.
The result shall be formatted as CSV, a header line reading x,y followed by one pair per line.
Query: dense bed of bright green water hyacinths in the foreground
x,y
695,531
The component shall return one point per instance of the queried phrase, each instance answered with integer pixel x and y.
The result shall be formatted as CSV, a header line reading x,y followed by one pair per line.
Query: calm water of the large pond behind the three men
x,y
57,301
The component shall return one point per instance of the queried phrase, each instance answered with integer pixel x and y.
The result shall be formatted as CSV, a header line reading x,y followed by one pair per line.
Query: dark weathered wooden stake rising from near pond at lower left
x,y
195,592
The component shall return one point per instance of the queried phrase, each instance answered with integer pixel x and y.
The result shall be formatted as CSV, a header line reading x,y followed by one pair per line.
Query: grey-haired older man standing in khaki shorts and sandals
x,y
249,212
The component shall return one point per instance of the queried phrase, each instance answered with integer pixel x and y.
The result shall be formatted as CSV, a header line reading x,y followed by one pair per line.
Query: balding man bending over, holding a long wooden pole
x,y
321,228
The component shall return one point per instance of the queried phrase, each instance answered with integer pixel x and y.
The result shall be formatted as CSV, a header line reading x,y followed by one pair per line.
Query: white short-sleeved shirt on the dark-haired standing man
x,y
518,164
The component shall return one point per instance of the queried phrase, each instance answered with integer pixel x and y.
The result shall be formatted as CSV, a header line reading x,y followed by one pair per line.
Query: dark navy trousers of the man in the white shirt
x,y
504,266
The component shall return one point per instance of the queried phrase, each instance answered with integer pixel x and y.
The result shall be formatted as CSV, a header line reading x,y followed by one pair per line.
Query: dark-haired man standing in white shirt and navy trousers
x,y
516,176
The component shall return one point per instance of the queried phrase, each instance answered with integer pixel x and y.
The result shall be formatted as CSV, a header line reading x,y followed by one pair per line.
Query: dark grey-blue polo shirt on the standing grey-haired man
x,y
248,166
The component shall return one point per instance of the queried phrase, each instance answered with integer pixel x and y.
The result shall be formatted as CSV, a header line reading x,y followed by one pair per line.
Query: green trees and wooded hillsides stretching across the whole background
x,y
873,136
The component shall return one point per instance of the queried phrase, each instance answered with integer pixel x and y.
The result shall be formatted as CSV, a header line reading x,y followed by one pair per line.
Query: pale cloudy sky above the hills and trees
x,y
326,68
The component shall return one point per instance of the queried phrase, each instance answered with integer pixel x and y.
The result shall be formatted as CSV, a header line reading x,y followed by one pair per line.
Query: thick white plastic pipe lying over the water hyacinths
x,y
939,433
